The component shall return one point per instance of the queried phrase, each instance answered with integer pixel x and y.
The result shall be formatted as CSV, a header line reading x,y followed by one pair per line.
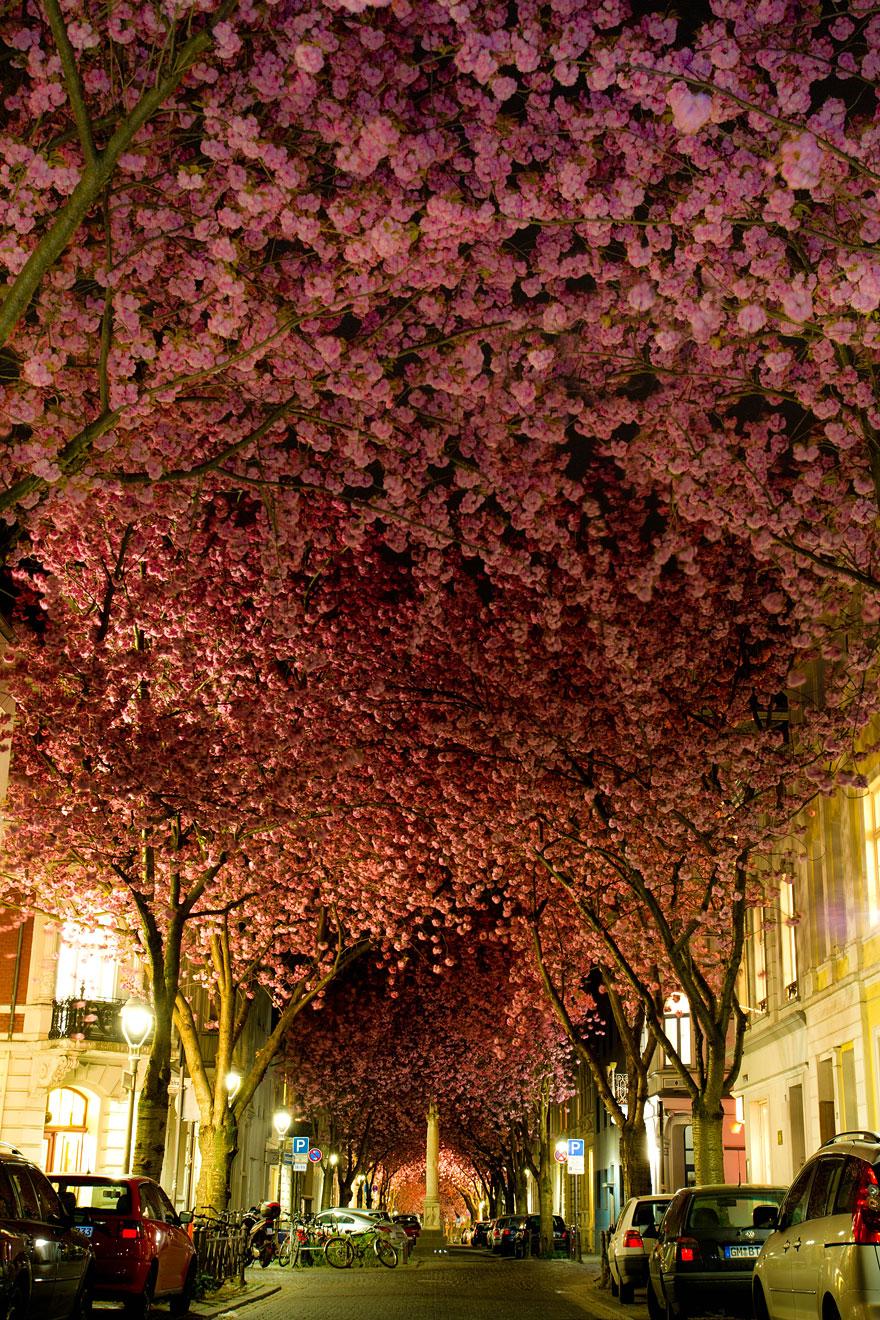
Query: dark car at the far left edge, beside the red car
x,y
47,1267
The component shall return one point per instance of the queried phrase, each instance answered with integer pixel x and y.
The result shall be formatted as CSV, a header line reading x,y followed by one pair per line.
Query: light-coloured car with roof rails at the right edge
x,y
833,1203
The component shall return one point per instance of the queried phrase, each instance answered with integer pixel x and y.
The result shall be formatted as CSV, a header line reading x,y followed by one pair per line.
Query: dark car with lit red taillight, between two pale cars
x,y
707,1247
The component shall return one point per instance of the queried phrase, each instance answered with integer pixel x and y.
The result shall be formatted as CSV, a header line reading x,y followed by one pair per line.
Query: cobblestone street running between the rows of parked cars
x,y
432,1289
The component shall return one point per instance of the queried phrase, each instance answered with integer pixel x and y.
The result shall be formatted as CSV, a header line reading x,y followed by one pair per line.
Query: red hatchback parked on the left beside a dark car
x,y
142,1248
